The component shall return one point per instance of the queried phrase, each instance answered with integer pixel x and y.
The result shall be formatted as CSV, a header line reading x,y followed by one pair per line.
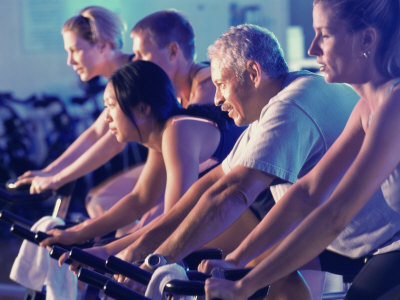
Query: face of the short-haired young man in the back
x,y
146,49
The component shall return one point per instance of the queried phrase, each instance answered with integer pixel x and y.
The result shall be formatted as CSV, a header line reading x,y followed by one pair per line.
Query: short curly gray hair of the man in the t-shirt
x,y
249,42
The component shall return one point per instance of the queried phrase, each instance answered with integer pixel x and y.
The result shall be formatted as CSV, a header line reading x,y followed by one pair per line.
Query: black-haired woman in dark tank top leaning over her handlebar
x,y
141,106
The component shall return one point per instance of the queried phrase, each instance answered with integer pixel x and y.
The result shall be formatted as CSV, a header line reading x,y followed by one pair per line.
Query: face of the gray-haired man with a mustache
x,y
230,93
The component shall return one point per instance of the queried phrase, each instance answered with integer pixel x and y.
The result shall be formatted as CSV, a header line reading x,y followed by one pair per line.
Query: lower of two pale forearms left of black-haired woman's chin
x,y
98,154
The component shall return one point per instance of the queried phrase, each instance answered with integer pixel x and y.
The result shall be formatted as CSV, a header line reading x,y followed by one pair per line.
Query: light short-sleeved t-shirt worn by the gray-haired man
x,y
295,128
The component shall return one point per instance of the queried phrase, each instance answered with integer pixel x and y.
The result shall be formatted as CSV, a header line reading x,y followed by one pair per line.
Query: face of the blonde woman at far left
x,y
85,58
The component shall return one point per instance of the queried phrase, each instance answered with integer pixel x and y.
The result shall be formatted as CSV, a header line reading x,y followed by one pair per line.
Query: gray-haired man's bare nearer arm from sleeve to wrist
x,y
220,206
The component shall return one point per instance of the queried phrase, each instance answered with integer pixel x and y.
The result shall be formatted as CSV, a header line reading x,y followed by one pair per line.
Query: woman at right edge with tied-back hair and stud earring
x,y
356,42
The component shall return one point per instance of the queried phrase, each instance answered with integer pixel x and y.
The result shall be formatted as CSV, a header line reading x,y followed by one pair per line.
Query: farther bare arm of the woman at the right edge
x,y
304,196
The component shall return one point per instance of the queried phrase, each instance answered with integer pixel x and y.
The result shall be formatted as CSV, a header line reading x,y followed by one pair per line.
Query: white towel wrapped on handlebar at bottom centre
x,y
161,277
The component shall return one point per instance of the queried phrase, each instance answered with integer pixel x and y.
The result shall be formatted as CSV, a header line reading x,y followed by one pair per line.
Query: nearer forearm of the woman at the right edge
x,y
316,232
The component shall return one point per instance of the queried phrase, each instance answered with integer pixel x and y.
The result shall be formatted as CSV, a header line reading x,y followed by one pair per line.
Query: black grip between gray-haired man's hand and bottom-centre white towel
x,y
122,267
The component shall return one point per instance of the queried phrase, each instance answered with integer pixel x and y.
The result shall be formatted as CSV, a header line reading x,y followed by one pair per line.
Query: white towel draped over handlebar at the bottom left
x,y
34,267
